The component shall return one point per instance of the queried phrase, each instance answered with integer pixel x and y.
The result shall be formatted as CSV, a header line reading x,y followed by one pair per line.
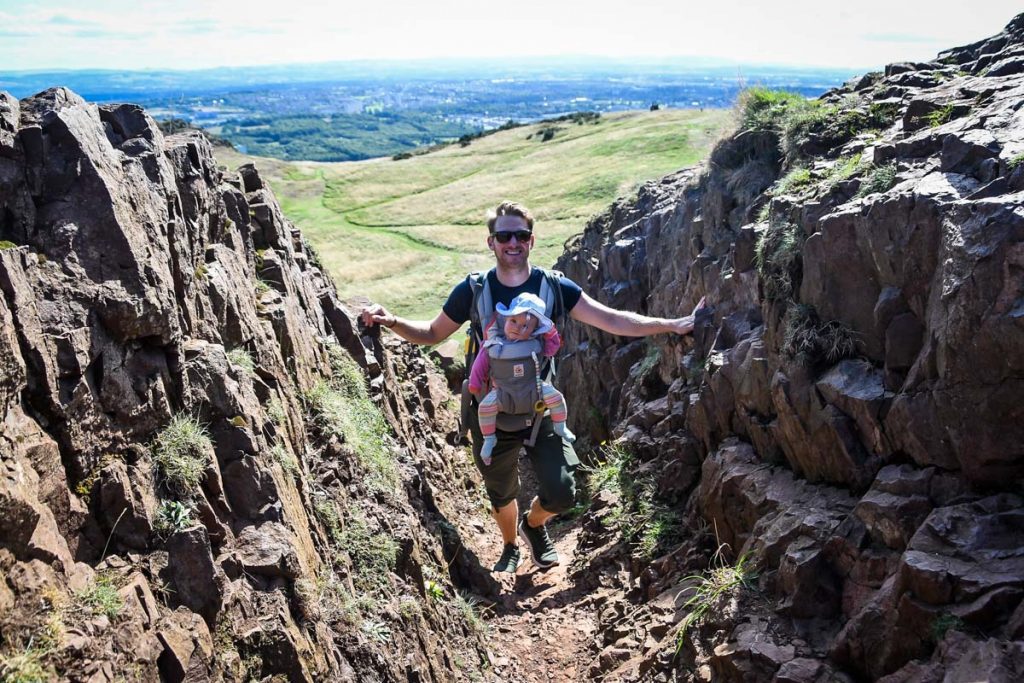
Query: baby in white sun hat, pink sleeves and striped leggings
x,y
524,320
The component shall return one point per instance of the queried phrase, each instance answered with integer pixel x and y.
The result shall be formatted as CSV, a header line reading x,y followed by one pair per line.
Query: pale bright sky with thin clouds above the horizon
x,y
197,34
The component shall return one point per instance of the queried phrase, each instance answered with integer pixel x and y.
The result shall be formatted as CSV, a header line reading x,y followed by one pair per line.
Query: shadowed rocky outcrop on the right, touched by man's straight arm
x,y
848,418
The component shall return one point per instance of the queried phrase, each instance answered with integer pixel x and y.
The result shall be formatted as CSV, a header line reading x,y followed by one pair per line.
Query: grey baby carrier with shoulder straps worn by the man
x,y
517,367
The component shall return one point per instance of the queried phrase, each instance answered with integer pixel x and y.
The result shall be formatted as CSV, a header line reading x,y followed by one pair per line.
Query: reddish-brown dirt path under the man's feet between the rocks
x,y
542,628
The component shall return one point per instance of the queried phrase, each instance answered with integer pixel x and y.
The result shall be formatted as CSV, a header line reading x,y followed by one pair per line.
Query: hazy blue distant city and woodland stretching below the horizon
x,y
351,111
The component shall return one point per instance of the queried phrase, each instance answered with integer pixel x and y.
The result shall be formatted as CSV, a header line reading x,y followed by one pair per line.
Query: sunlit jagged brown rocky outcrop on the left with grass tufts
x,y
198,480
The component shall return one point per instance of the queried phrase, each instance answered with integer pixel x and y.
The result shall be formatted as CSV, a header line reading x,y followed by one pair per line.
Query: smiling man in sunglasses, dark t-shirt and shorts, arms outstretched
x,y
511,238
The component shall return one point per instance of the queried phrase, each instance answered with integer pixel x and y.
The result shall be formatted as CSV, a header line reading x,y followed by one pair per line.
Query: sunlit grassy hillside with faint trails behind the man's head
x,y
403,233
